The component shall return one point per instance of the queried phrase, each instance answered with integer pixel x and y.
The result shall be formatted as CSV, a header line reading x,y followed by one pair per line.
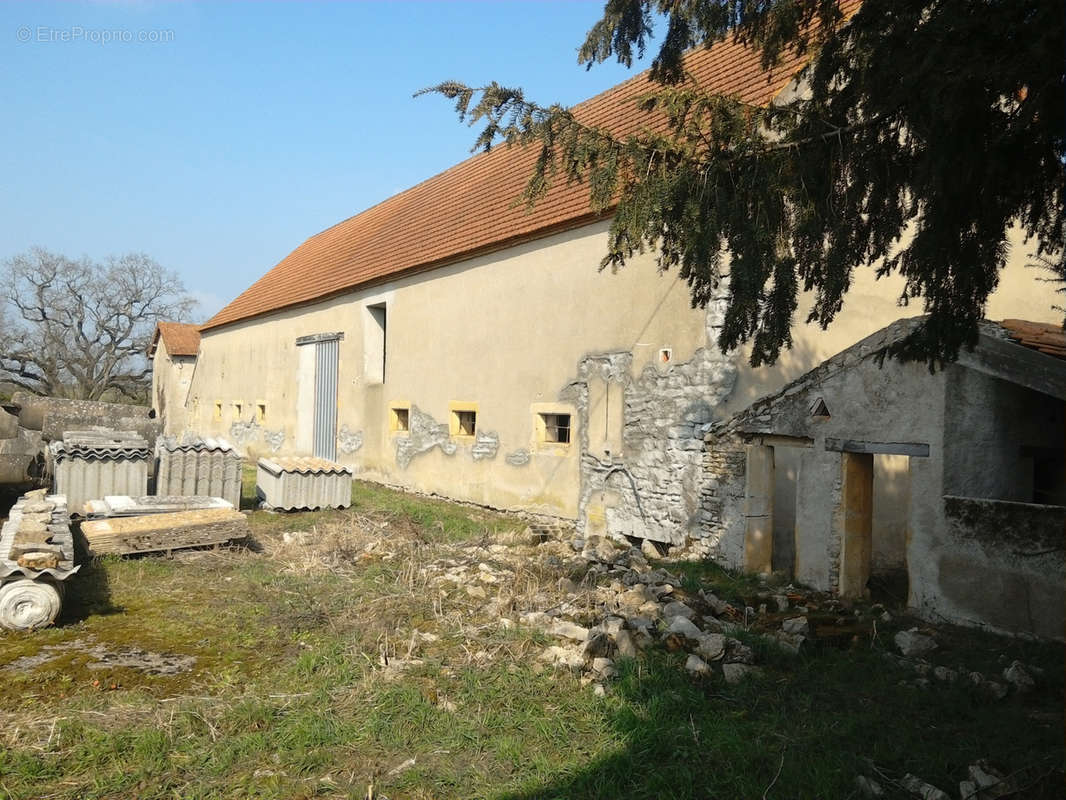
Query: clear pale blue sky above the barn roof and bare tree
x,y
218,137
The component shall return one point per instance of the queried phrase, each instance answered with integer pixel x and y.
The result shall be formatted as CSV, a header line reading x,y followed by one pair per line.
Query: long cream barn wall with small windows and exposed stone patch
x,y
523,330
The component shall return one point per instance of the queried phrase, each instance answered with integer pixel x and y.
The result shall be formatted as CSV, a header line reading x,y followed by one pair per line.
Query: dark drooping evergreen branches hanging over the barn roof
x,y
928,130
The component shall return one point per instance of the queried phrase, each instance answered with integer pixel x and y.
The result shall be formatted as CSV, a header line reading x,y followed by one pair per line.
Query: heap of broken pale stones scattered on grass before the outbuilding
x,y
610,604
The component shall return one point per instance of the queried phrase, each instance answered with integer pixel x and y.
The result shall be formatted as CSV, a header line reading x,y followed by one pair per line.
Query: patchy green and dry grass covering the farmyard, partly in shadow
x,y
324,668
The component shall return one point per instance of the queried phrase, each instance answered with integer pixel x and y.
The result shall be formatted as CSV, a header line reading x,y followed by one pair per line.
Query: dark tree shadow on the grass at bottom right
x,y
806,729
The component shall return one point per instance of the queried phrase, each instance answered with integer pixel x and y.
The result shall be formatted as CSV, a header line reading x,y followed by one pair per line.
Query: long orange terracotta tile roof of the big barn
x,y
471,209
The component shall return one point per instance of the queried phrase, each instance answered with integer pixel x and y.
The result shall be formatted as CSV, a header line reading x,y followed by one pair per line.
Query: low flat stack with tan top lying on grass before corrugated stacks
x,y
164,533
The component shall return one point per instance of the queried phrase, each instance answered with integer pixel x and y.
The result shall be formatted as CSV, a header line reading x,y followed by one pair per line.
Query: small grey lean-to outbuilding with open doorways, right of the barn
x,y
979,504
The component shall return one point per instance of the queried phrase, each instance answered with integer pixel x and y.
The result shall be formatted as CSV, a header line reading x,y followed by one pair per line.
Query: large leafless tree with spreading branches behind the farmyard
x,y
80,329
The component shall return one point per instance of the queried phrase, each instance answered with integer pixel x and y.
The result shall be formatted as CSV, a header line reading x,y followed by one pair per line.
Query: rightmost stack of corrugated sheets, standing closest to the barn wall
x,y
303,484
